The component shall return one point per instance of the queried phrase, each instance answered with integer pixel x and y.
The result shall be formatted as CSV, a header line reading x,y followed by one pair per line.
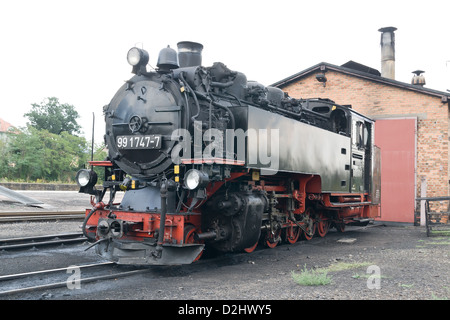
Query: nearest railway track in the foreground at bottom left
x,y
59,278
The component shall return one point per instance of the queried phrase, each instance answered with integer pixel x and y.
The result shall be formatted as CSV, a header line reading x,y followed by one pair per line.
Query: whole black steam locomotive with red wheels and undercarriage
x,y
208,159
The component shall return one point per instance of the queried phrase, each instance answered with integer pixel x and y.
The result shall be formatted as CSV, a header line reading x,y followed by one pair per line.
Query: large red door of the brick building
x,y
397,141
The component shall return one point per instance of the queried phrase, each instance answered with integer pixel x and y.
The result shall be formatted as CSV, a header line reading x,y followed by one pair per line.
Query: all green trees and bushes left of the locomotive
x,y
48,149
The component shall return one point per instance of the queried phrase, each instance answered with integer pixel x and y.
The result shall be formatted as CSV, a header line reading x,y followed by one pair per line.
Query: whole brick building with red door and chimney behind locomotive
x,y
412,127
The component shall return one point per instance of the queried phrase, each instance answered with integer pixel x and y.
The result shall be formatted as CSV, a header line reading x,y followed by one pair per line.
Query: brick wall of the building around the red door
x,y
386,101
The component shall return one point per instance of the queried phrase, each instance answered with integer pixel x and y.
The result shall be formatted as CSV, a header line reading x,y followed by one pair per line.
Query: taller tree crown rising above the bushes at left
x,y
54,117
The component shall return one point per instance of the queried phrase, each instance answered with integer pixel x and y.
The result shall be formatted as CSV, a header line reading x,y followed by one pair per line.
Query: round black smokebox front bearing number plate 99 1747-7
x,y
140,120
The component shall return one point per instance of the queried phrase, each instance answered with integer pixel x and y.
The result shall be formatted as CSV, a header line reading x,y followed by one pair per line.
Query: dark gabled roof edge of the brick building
x,y
361,71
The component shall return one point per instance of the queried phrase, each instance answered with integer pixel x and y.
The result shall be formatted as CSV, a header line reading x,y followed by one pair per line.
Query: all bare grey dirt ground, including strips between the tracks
x,y
378,262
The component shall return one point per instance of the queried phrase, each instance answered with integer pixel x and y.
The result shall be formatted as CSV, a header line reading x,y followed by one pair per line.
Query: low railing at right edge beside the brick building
x,y
437,221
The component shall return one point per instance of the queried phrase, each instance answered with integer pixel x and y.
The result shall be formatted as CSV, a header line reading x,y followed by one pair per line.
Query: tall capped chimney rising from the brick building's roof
x,y
388,52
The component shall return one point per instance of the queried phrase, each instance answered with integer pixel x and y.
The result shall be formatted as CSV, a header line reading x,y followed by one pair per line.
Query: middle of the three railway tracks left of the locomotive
x,y
40,241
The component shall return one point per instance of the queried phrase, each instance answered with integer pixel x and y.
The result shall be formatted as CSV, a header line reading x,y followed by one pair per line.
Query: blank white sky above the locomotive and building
x,y
76,50
